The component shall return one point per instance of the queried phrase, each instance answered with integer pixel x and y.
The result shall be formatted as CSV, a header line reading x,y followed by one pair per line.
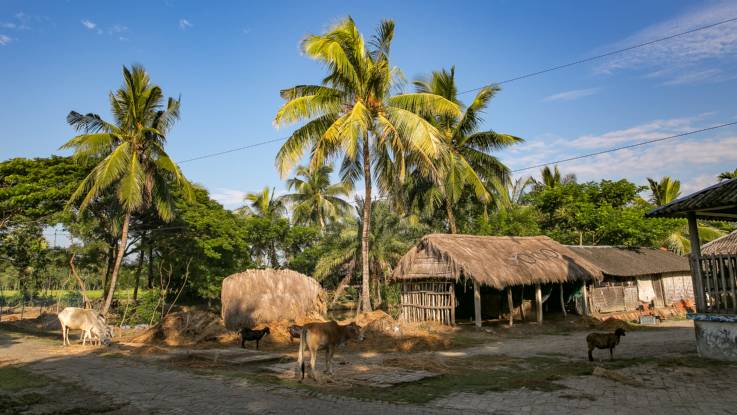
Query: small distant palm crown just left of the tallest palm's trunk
x,y
315,200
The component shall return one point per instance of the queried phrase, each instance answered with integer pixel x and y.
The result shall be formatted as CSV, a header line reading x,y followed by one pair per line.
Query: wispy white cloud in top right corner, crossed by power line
x,y
719,42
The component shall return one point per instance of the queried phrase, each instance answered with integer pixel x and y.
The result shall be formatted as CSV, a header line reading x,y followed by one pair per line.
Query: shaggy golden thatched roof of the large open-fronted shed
x,y
496,261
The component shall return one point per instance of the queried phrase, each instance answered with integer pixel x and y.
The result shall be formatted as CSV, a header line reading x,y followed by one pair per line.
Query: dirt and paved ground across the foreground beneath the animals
x,y
525,369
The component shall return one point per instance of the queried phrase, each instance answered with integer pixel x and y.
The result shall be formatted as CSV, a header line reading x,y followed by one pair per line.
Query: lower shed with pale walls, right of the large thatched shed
x,y
634,275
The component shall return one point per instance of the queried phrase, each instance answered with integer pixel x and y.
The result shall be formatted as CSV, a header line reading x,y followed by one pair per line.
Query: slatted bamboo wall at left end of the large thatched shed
x,y
428,301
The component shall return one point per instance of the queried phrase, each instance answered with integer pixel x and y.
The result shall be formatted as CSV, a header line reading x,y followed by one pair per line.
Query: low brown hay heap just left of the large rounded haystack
x,y
184,328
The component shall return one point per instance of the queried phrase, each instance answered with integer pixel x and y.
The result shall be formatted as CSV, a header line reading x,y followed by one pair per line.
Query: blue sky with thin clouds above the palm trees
x,y
229,60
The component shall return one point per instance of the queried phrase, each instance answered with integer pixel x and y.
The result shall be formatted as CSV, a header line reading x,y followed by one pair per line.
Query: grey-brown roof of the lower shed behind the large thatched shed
x,y
617,261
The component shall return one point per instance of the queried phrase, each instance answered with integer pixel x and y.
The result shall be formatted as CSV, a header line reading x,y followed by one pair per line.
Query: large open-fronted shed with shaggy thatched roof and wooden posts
x,y
434,272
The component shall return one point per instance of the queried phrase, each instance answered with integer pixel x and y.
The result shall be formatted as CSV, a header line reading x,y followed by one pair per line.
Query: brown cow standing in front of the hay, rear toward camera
x,y
316,336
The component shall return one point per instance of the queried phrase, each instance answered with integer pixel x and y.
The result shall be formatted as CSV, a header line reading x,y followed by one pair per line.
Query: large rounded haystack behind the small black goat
x,y
266,295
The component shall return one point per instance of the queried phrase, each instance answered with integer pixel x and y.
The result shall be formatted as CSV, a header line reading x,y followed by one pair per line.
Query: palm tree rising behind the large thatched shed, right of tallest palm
x,y
469,160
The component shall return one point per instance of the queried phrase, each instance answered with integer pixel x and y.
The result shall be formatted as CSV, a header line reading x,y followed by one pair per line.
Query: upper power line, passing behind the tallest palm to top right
x,y
506,81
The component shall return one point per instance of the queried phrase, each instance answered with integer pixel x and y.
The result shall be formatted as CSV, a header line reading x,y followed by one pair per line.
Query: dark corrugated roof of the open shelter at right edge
x,y
718,202
